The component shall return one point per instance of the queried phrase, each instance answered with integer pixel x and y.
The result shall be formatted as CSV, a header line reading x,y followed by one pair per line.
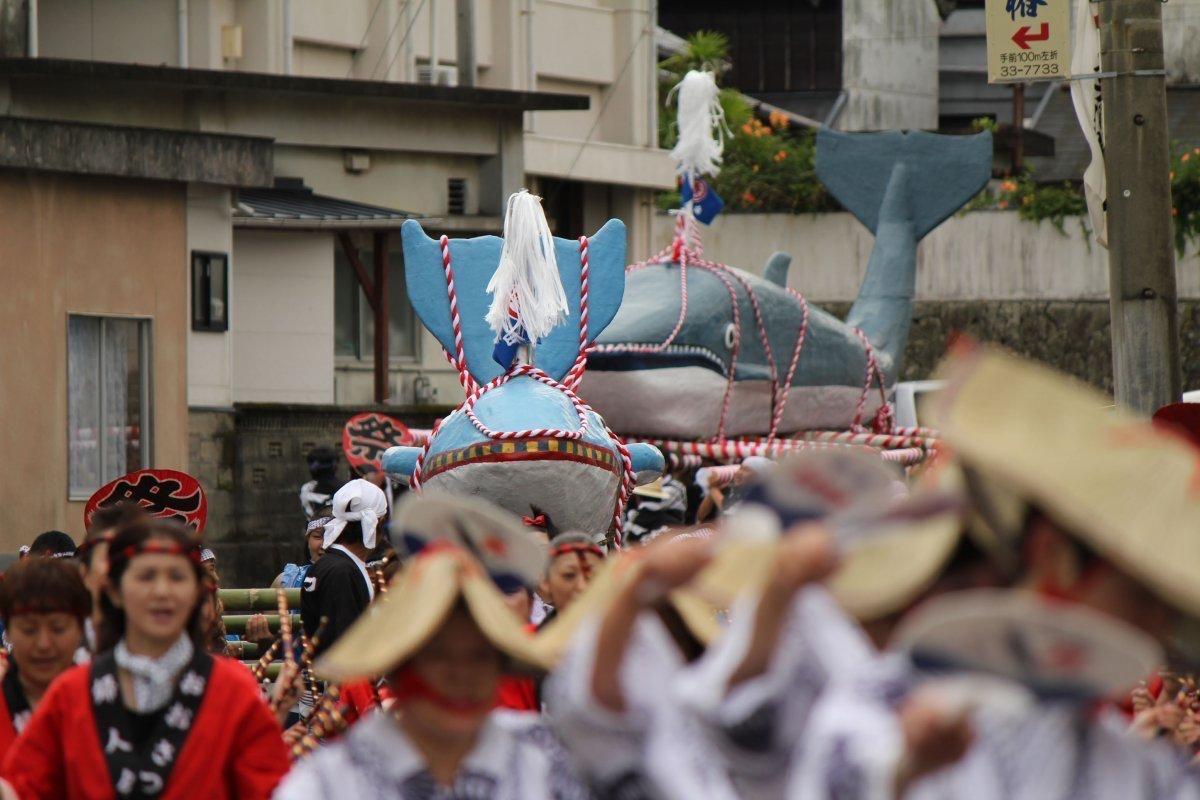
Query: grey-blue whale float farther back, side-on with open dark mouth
x,y
901,187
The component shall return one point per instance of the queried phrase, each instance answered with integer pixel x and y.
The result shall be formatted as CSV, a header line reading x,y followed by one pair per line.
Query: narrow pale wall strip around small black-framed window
x,y
209,353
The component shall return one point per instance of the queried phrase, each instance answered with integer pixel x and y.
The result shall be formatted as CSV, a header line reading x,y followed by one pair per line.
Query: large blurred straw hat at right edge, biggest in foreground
x,y
1131,491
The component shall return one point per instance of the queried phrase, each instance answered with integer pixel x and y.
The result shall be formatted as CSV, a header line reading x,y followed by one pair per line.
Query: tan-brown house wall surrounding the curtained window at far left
x,y
73,245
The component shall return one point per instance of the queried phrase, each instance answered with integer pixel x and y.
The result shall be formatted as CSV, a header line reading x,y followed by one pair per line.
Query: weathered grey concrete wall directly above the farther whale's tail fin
x,y
890,65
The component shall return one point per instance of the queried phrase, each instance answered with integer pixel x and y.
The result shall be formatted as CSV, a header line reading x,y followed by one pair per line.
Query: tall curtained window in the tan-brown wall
x,y
109,400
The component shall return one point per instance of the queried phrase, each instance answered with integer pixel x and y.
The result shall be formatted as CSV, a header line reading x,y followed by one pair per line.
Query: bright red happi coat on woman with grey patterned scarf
x,y
235,749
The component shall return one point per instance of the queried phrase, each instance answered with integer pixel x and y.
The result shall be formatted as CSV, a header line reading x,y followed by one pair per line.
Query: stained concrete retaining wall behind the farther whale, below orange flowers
x,y
986,274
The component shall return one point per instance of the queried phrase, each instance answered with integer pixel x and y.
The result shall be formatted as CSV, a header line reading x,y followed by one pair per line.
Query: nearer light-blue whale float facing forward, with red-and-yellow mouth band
x,y
574,480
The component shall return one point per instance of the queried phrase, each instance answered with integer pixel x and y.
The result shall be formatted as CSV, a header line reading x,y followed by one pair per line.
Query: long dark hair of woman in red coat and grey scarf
x,y
127,546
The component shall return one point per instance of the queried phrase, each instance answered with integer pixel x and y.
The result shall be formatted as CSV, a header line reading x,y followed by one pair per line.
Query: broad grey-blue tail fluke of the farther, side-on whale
x,y
943,172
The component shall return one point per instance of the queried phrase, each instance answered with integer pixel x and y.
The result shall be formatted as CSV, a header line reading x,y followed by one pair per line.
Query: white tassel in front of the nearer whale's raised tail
x,y
527,280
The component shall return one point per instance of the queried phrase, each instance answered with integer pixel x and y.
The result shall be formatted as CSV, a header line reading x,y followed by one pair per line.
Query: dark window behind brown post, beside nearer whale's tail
x,y
353,320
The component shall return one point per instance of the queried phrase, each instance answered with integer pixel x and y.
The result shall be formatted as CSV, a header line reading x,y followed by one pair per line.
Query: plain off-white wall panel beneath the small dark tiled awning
x,y
283,321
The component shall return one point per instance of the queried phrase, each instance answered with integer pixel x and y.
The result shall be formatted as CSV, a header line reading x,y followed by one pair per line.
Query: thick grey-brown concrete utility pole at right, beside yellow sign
x,y
1142,257
